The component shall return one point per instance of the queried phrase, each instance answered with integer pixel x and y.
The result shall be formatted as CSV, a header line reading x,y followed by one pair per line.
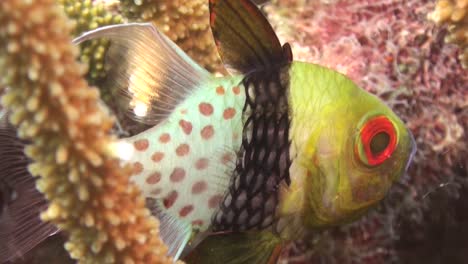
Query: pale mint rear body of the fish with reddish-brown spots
x,y
186,160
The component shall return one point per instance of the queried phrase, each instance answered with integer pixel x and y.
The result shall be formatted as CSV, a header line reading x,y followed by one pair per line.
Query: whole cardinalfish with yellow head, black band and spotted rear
x,y
236,166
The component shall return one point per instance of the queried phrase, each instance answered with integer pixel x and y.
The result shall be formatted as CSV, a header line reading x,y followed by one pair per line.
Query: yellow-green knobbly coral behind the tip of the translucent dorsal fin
x,y
89,15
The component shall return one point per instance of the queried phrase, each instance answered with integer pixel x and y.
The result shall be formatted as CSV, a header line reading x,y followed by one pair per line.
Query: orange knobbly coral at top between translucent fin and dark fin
x,y
185,22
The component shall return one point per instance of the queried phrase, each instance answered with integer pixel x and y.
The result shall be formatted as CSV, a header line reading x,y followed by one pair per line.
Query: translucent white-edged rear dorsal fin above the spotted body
x,y
152,73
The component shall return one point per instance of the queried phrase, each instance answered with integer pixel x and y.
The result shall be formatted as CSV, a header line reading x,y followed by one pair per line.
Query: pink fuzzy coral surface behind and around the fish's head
x,y
391,49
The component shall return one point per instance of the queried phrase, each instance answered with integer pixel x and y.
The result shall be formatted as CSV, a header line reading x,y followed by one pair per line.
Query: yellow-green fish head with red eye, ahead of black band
x,y
349,146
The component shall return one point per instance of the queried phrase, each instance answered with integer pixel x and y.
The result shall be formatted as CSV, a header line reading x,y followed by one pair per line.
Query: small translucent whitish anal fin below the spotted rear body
x,y
174,232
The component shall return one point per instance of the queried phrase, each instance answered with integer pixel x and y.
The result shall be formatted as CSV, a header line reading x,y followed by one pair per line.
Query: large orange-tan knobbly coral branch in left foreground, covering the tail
x,y
89,192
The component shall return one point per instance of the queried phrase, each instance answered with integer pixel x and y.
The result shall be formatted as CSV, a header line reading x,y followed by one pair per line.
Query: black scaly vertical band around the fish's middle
x,y
253,194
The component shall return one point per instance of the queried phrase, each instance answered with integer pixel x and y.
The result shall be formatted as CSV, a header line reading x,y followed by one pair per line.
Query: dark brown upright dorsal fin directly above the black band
x,y
245,39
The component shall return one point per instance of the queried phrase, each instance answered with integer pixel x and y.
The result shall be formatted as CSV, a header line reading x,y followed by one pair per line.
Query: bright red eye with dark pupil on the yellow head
x,y
377,141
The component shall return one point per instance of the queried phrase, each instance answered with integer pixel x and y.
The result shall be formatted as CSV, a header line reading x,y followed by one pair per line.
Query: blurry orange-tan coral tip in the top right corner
x,y
454,13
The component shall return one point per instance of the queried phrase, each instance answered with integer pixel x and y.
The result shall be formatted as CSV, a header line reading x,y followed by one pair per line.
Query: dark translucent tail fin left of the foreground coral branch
x,y
21,229
